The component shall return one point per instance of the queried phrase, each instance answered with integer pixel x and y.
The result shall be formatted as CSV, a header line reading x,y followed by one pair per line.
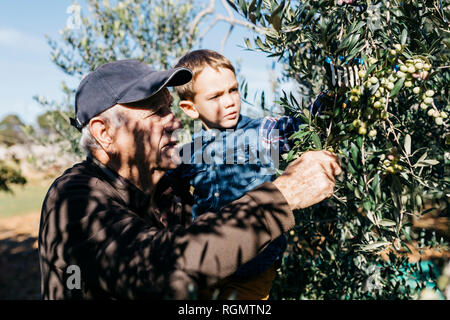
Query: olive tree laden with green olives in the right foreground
x,y
387,121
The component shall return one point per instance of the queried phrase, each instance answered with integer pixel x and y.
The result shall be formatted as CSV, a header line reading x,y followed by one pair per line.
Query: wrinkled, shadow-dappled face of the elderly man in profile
x,y
145,141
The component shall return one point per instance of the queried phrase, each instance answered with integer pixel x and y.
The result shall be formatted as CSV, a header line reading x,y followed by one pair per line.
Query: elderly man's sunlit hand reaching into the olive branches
x,y
309,179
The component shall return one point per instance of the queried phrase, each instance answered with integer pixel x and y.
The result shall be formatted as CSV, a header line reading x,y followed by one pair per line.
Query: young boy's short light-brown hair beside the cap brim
x,y
196,61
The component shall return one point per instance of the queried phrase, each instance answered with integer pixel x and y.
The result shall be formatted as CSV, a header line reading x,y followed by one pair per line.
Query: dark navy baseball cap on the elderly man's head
x,y
123,81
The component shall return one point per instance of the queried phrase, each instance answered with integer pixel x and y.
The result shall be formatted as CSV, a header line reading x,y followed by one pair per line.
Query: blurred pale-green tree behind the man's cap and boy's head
x,y
155,32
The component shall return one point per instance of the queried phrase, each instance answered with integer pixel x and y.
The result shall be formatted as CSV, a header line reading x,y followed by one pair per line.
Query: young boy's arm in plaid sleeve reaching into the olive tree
x,y
278,130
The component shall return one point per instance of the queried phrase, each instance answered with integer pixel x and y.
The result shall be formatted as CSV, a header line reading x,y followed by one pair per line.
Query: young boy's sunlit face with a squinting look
x,y
217,98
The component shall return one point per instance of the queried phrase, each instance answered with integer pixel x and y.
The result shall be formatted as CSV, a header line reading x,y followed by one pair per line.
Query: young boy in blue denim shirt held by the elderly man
x,y
231,155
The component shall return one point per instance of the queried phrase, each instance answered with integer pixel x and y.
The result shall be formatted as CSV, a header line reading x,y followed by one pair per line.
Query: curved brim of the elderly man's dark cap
x,y
151,84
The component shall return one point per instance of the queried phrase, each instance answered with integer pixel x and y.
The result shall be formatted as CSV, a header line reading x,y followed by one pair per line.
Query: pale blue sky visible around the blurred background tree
x,y
26,69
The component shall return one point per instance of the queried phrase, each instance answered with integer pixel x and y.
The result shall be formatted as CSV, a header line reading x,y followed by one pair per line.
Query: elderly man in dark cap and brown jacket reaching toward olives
x,y
114,226
